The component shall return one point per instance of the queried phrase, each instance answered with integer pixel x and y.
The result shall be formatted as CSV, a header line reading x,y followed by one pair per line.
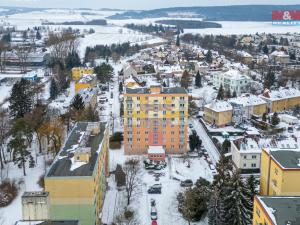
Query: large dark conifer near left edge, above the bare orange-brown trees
x,y
21,99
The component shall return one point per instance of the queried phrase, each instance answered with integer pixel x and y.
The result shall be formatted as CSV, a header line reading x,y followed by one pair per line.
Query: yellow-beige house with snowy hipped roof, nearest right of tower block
x,y
218,113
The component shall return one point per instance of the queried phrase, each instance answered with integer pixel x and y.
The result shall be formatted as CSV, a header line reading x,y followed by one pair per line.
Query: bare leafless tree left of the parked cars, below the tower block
x,y
131,169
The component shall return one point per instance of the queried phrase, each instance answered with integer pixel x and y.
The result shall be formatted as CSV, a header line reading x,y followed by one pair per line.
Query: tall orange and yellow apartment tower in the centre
x,y
155,116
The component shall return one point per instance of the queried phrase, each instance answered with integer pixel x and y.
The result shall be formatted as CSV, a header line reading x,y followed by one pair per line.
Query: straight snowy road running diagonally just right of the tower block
x,y
206,141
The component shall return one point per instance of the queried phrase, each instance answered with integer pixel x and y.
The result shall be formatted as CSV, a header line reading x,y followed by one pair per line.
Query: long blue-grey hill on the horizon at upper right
x,y
211,13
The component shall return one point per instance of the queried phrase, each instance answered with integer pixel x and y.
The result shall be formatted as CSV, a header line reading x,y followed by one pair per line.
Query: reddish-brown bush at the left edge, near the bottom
x,y
8,192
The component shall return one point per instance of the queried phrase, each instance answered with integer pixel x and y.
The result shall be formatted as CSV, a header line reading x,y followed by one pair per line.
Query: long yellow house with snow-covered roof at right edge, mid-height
x,y
281,99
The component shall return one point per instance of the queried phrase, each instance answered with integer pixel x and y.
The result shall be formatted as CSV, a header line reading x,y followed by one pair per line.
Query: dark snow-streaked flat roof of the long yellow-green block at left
x,y
62,166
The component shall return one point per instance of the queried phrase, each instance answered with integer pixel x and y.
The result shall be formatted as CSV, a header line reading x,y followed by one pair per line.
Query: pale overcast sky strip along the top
x,y
135,4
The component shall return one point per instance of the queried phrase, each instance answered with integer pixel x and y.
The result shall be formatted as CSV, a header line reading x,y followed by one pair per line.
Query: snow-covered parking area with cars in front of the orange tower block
x,y
164,184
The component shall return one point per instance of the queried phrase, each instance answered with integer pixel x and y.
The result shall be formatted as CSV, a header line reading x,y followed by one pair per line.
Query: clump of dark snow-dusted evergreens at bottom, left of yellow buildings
x,y
228,200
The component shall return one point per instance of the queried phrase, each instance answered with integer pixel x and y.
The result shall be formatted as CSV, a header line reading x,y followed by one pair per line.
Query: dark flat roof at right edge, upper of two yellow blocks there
x,y
287,158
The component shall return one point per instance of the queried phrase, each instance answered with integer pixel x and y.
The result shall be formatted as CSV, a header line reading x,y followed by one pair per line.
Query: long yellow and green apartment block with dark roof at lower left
x,y
76,180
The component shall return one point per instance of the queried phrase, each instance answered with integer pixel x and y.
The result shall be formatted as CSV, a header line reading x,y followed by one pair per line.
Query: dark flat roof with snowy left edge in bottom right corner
x,y
282,209
